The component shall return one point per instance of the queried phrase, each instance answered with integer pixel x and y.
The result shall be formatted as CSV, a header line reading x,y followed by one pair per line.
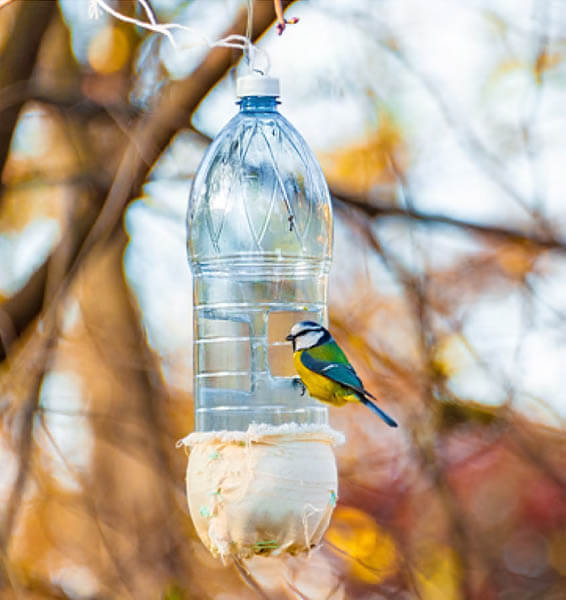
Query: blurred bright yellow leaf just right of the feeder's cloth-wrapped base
x,y
369,550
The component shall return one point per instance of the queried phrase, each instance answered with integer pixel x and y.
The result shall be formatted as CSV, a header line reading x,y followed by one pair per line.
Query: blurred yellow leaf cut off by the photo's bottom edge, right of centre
x,y
438,574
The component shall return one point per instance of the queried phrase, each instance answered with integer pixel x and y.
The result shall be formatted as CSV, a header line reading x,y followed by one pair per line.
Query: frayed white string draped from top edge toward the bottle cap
x,y
239,42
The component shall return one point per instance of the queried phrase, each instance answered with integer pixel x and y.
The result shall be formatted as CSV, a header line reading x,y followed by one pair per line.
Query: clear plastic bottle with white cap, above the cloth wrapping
x,y
259,241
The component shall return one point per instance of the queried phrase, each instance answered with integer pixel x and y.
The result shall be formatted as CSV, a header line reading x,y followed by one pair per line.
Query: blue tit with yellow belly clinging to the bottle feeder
x,y
325,371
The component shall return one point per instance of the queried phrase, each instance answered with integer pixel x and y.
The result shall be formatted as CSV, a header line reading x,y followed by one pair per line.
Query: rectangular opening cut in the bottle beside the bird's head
x,y
279,351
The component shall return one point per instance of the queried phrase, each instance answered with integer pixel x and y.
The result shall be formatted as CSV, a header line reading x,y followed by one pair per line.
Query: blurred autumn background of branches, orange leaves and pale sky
x,y
442,132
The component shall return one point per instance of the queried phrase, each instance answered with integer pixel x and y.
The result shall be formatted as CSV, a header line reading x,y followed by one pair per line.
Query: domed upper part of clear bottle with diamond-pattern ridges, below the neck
x,y
259,189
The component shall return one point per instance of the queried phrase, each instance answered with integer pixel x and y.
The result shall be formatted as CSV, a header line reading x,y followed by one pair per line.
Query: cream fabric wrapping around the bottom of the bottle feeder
x,y
265,491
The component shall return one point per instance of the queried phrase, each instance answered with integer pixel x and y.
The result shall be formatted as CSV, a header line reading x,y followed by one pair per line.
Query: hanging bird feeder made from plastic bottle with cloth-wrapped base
x,y
261,477
